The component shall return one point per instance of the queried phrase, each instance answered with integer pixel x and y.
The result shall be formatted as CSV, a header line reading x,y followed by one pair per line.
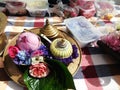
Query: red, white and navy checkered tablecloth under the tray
x,y
98,71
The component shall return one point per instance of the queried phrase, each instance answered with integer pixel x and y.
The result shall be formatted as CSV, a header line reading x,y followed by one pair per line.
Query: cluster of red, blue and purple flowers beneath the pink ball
x,y
22,57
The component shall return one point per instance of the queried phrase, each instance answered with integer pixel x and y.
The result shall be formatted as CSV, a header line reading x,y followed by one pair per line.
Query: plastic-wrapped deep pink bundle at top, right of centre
x,y
86,7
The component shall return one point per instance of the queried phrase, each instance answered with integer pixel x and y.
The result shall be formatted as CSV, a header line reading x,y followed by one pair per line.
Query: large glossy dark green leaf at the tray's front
x,y
58,79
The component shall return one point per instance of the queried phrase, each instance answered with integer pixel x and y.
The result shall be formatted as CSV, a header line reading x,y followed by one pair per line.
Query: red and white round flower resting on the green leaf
x,y
39,70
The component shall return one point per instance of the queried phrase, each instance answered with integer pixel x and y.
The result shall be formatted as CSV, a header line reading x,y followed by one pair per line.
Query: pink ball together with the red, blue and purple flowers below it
x,y
28,46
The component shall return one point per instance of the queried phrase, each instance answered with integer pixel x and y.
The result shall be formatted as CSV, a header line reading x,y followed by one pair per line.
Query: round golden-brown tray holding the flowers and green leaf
x,y
17,76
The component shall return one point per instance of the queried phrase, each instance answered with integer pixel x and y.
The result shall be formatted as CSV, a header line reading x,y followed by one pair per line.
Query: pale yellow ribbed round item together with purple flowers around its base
x,y
63,50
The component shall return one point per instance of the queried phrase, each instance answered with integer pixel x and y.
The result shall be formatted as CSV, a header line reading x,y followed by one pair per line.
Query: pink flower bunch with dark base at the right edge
x,y
111,44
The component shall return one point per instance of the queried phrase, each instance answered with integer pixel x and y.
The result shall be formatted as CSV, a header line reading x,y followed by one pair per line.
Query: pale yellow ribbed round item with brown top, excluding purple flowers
x,y
61,48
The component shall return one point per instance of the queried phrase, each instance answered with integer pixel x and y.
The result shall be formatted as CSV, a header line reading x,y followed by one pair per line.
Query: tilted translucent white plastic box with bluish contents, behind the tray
x,y
84,31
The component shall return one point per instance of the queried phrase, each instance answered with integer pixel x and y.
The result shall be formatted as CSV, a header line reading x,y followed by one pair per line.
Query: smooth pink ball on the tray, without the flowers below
x,y
28,41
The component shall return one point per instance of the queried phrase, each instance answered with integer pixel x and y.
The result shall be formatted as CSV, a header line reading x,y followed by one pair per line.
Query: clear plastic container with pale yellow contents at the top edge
x,y
37,7
